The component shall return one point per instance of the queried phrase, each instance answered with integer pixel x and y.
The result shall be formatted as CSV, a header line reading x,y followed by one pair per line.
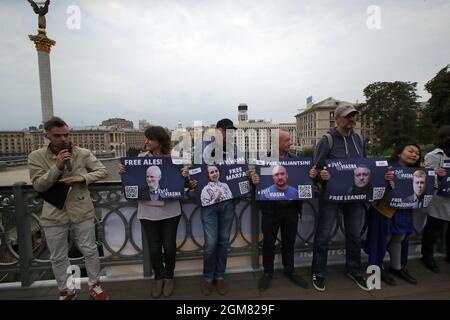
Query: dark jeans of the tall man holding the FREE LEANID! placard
x,y
353,223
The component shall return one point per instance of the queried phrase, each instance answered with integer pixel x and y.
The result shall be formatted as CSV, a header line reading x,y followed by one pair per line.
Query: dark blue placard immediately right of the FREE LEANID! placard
x,y
414,188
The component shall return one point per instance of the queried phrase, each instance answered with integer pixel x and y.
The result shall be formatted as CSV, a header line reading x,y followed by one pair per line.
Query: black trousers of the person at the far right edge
x,y
434,230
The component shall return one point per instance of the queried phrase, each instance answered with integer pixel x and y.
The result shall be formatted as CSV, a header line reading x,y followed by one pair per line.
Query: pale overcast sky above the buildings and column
x,y
191,60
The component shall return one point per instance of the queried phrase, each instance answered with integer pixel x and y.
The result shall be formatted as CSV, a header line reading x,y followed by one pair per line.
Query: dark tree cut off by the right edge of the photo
x,y
439,88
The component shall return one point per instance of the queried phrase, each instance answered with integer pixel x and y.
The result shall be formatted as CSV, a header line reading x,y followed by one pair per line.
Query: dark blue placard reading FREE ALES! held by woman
x,y
152,178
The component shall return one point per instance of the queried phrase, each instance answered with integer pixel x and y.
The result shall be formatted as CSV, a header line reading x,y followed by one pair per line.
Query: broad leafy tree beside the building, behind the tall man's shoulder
x,y
391,108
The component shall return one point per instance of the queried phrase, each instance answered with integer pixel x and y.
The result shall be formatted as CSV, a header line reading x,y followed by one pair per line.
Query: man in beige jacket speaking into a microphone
x,y
76,167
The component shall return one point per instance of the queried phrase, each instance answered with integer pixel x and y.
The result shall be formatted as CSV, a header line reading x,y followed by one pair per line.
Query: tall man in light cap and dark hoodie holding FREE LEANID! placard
x,y
341,142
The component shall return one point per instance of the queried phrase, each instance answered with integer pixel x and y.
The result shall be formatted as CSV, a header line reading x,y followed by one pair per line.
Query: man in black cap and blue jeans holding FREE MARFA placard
x,y
218,218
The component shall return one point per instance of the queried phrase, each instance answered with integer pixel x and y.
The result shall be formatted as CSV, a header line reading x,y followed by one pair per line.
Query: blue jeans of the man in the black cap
x,y
217,222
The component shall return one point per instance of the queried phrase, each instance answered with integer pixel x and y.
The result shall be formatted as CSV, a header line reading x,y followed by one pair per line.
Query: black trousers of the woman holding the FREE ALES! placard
x,y
162,234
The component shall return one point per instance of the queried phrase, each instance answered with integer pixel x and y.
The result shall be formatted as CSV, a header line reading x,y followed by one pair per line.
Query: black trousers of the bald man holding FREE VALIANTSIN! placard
x,y
284,217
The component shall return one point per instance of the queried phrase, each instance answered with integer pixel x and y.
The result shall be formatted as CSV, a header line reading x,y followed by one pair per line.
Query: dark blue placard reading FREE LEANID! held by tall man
x,y
356,180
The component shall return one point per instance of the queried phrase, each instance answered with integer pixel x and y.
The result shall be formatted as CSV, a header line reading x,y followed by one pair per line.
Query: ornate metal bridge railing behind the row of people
x,y
23,248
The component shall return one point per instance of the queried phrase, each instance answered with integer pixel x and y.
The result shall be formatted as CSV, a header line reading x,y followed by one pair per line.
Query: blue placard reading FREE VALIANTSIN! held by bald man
x,y
284,179
